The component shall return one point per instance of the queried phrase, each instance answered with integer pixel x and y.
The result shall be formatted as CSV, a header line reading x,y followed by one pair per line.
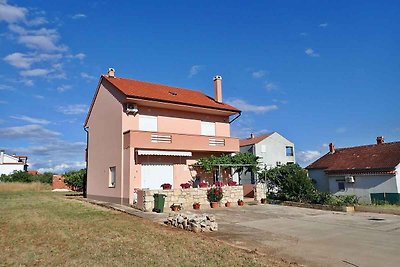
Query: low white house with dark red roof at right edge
x,y
369,172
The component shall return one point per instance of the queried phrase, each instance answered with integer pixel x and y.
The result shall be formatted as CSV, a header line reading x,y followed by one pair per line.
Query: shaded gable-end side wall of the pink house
x,y
105,145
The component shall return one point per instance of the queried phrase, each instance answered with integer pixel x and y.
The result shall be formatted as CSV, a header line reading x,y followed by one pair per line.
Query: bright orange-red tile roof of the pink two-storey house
x,y
164,93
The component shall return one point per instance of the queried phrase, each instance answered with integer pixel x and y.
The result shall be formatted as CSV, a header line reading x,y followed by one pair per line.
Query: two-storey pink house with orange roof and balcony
x,y
141,135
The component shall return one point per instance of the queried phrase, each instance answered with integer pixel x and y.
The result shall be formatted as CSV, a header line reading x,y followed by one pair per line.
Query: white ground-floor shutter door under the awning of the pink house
x,y
154,175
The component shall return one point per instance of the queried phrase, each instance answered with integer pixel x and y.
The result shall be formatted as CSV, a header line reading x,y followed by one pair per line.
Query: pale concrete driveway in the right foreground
x,y
313,237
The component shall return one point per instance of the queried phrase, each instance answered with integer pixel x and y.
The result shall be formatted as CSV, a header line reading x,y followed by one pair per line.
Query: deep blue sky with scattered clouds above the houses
x,y
315,71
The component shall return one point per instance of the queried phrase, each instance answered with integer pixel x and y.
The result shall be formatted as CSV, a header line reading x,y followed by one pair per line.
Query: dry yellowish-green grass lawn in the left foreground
x,y
44,228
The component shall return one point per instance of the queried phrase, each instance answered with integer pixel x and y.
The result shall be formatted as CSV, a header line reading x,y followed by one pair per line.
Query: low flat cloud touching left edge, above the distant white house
x,y
28,131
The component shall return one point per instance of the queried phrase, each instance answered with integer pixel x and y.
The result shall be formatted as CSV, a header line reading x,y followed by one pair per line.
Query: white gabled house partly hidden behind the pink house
x,y
273,149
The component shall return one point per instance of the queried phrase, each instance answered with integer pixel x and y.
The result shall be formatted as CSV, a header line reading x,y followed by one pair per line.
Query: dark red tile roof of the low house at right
x,y
370,158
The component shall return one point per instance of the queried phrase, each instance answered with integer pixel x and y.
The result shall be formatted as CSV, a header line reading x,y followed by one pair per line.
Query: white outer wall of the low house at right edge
x,y
364,185
